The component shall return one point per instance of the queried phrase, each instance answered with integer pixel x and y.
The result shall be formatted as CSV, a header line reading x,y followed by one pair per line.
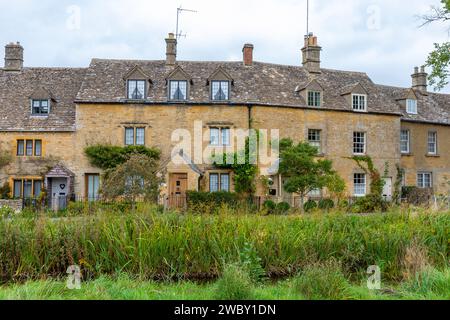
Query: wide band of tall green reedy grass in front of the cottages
x,y
173,246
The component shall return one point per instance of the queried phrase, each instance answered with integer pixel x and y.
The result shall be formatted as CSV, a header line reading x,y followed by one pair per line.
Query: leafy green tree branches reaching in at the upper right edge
x,y
439,58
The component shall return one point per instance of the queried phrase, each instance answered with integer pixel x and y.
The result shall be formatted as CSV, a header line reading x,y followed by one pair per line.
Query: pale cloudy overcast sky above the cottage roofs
x,y
379,37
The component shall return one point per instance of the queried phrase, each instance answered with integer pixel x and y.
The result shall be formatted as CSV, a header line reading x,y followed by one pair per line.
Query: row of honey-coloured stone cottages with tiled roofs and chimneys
x,y
91,106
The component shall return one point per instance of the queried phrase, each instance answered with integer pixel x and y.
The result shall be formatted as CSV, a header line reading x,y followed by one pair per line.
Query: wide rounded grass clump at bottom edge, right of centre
x,y
322,282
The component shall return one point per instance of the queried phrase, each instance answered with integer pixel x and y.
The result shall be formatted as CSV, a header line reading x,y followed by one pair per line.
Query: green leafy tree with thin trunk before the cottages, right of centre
x,y
303,172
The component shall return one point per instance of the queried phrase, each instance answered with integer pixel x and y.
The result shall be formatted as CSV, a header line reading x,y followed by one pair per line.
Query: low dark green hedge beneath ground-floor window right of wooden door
x,y
216,199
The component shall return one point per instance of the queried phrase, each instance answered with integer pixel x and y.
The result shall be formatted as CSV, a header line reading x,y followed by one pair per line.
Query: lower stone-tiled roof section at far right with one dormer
x,y
431,107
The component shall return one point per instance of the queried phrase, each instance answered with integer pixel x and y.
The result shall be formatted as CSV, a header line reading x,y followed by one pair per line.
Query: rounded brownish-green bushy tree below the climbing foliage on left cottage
x,y
134,179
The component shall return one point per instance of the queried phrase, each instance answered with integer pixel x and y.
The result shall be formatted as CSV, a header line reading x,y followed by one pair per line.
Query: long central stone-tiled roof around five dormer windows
x,y
261,83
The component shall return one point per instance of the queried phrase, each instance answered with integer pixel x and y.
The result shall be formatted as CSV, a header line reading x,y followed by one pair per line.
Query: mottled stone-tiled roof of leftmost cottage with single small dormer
x,y
61,85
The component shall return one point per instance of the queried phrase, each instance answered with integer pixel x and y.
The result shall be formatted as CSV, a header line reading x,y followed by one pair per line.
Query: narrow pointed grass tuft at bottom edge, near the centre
x,y
234,284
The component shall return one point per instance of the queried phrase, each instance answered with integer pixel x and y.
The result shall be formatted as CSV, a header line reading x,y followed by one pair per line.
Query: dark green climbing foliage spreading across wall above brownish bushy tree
x,y
109,157
